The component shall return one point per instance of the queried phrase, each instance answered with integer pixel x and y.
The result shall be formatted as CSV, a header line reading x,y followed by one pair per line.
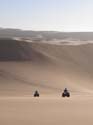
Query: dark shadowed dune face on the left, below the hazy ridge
x,y
13,50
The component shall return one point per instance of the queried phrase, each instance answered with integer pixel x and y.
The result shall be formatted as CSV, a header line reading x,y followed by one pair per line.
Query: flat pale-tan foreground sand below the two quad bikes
x,y
76,110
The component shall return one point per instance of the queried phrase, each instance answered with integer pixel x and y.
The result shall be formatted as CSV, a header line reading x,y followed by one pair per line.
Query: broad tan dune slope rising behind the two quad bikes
x,y
48,68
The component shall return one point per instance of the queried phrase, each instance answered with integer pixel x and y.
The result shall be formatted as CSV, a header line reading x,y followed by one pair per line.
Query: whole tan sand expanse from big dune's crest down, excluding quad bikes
x,y
49,70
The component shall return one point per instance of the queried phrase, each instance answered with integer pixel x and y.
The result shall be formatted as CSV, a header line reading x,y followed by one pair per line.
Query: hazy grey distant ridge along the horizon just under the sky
x,y
45,35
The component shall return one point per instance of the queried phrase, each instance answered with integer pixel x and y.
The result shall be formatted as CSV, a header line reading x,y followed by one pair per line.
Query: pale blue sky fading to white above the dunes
x,y
50,15
